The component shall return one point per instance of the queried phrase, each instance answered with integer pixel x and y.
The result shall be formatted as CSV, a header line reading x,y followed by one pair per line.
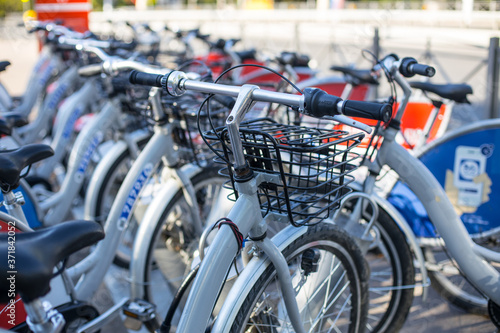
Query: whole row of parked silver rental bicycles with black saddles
x,y
238,199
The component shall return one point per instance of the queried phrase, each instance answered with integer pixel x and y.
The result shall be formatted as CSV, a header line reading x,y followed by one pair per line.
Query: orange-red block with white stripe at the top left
x,y
73,14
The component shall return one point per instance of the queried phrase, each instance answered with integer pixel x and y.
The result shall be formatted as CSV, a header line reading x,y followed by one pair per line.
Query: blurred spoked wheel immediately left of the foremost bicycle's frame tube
x,y
167,260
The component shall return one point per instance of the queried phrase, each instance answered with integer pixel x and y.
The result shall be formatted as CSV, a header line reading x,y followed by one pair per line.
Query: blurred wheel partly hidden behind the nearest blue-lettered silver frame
x,y
109,188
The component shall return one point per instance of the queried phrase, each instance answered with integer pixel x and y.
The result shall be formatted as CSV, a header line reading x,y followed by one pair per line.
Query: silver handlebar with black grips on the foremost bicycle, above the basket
x,y
314,102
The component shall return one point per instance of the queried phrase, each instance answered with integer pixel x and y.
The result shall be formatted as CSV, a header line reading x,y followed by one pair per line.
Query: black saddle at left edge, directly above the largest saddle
x,y
12,162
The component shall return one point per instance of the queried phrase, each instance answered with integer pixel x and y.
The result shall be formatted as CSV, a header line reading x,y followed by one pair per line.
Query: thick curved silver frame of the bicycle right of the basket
x,y
469,256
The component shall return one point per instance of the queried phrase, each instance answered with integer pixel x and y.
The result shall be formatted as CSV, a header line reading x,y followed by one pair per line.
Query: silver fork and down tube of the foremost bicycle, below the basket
x,y
221,253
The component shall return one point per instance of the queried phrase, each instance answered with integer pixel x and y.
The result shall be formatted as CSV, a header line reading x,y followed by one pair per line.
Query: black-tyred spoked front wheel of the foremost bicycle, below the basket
x,y
336,247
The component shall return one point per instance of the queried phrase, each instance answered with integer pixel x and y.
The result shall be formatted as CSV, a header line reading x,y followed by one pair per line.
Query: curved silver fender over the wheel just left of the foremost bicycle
x,y
147,227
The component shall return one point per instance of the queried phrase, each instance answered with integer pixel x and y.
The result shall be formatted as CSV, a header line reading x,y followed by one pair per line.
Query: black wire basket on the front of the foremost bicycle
x,y
313,165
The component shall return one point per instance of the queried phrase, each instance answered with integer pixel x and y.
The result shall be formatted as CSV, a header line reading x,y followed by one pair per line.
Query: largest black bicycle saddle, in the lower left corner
x,y
37,253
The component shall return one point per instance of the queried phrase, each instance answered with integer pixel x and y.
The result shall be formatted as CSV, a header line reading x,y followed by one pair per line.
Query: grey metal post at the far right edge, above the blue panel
x,y
492,79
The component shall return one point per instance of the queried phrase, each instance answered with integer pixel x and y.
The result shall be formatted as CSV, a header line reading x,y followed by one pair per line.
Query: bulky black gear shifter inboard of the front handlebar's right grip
x,y
318,103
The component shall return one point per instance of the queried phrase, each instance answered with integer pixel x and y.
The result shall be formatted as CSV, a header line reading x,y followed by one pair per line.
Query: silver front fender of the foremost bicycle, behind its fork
x,y
248,277
